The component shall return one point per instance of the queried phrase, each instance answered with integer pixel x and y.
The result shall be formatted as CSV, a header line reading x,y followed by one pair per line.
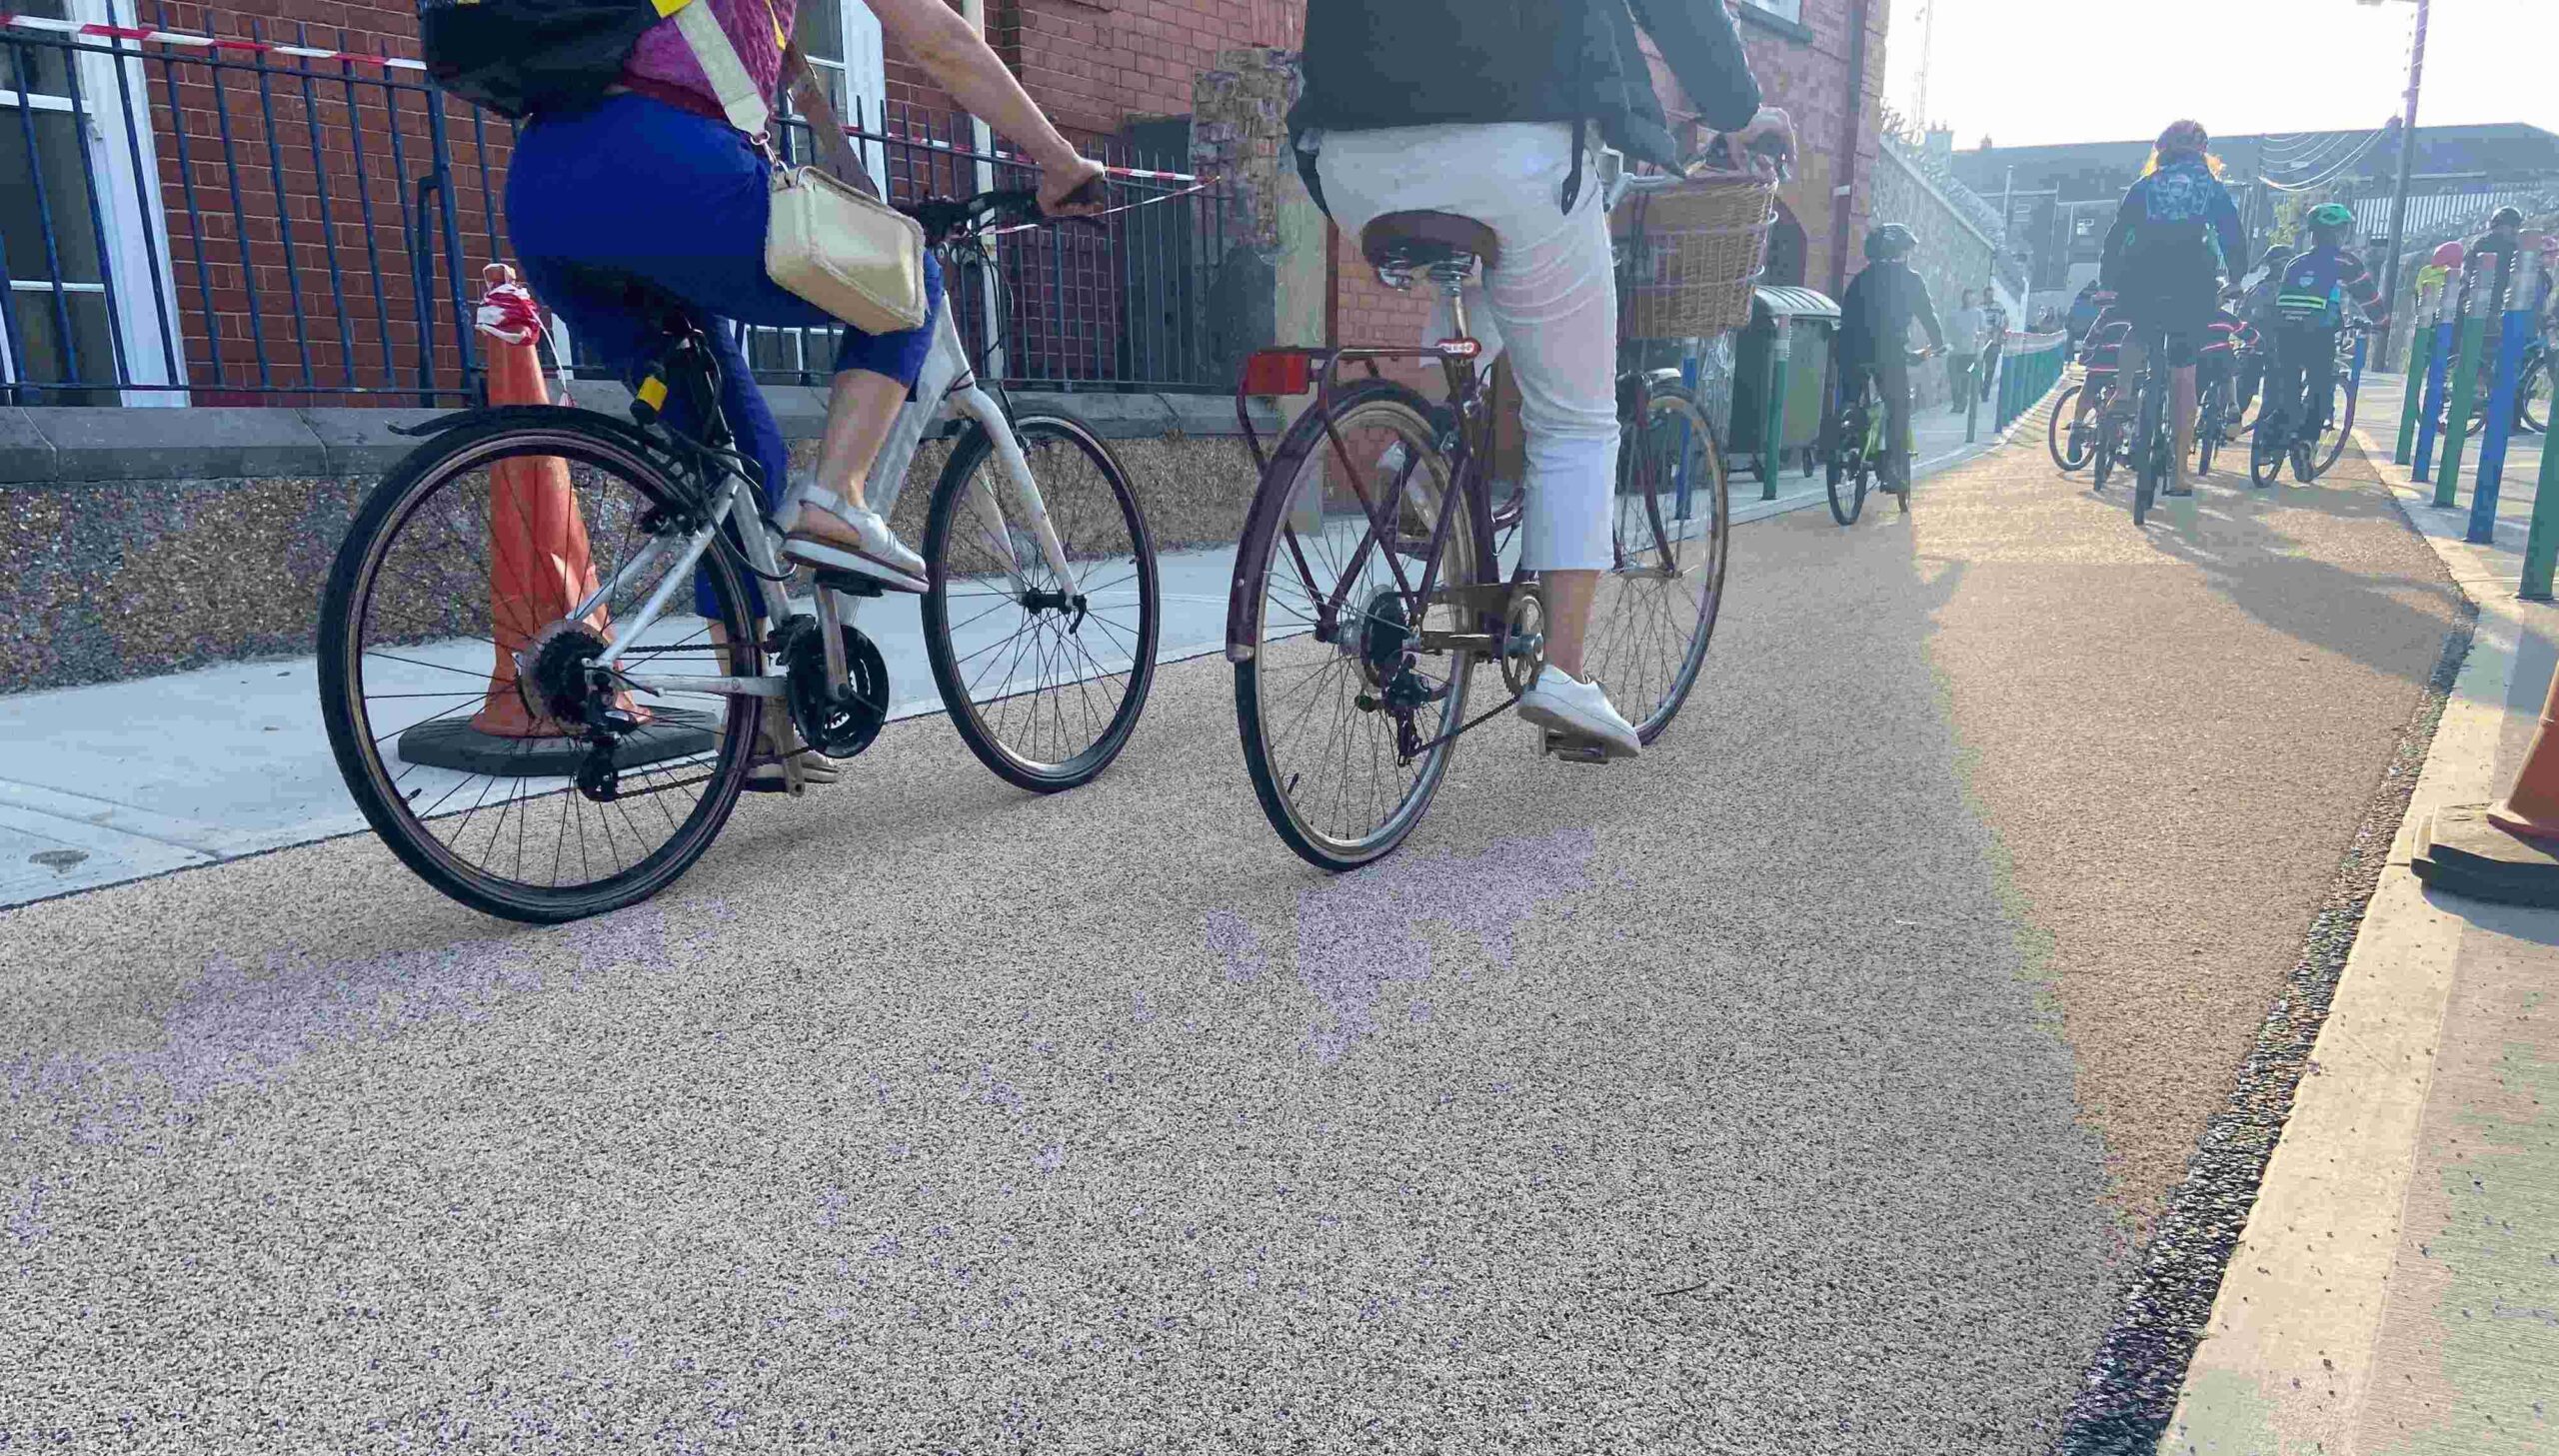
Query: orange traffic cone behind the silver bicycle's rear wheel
x,y
539,562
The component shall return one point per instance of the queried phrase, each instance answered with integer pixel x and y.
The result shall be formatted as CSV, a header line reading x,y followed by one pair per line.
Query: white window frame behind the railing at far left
x,y
147,334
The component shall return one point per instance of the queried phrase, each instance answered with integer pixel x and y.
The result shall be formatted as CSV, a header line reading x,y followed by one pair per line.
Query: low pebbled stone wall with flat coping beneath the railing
x,y
134,554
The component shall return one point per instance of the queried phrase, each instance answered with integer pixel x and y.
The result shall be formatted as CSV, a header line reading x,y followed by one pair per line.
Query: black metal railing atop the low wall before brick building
x,y
247,226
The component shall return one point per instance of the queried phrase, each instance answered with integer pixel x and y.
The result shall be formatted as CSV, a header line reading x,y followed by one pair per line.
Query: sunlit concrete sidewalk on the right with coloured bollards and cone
x,y
2399,1281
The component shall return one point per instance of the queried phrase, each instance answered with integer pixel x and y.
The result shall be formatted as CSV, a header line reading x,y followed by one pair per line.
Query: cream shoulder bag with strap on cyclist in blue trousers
x,y
830,237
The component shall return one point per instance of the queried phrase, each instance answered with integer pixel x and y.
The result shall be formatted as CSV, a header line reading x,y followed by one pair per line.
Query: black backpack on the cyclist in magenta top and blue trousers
x,y
523,58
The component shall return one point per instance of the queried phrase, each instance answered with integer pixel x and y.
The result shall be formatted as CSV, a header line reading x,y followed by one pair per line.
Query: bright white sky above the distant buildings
x,y
2115,70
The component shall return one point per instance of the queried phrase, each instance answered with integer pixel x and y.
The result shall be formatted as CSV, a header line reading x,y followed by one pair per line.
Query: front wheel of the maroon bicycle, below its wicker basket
x,y
1657,605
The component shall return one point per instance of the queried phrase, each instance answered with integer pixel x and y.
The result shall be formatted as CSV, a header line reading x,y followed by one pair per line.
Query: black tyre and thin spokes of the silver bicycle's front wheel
x,y
984,720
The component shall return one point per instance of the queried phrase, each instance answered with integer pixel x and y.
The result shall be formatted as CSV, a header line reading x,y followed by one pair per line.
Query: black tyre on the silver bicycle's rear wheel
x,y
344,615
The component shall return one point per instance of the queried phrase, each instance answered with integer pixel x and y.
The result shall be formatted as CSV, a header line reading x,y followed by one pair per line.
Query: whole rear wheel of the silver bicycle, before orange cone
x,y
475,777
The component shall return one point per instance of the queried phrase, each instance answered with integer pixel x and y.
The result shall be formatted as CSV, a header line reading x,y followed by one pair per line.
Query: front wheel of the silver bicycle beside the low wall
x,y
1045,677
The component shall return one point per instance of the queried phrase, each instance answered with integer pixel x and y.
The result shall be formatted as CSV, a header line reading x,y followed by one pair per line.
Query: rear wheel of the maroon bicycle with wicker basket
x,y
1342,718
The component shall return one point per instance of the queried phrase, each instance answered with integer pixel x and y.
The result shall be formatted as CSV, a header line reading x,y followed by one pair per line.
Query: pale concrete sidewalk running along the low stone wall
x,y
122,782
